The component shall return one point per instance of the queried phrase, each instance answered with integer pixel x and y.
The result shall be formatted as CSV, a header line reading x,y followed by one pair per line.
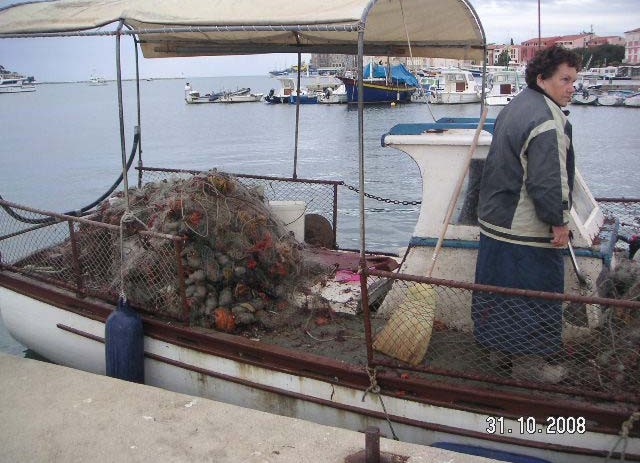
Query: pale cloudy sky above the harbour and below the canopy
x,y
71,59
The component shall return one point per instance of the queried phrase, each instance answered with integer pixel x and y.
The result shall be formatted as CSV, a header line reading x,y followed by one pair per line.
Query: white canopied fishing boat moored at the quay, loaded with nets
x,y
62,275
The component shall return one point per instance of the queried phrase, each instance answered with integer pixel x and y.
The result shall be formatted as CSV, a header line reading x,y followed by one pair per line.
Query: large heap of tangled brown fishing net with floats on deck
x,y
238,260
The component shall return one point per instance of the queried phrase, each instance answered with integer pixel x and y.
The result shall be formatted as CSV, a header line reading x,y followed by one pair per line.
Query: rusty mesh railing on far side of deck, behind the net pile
x,y
320,196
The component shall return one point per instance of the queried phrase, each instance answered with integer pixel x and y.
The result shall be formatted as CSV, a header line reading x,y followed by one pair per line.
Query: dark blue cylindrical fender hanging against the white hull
x,y
124,344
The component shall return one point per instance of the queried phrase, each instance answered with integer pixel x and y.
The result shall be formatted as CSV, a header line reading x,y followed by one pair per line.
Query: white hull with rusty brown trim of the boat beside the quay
x,y
75,339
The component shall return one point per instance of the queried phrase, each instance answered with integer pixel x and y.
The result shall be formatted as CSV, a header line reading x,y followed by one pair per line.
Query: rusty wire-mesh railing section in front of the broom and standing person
x,y
427,326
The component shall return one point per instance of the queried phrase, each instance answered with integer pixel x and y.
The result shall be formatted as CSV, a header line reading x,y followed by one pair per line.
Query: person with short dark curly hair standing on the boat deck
x,y
523,211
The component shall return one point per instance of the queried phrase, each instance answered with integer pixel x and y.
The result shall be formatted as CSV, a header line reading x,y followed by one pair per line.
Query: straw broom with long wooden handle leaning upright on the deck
x,y
407,334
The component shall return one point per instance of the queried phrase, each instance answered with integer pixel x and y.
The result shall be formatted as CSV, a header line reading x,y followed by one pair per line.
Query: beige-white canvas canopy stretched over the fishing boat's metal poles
x,y
171,28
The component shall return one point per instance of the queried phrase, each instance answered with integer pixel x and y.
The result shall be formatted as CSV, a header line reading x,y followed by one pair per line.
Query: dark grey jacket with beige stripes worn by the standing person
x,y
528,175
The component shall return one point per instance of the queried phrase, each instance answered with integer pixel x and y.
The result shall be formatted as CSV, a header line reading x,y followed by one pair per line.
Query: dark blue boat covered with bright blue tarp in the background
x,y
379,87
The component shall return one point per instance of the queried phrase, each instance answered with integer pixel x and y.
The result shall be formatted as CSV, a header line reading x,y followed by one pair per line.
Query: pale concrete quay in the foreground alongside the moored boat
x,y
50,413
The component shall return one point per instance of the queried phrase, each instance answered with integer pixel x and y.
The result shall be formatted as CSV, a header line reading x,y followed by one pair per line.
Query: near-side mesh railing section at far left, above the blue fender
x,y
84,256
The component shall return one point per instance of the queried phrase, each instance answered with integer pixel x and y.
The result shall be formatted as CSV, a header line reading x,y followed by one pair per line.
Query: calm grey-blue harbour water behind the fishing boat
x,y
60,147
